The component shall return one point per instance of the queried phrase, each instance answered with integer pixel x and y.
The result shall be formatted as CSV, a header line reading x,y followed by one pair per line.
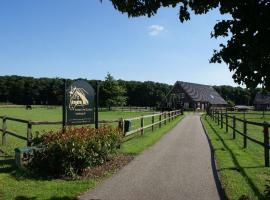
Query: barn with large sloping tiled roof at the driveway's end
x,y
193,96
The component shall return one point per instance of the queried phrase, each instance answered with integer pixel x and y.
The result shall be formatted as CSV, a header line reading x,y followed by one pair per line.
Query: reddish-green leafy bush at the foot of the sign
x,y
69,152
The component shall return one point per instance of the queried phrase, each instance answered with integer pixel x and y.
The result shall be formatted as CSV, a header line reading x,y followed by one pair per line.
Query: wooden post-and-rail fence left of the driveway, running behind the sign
x,y
167,117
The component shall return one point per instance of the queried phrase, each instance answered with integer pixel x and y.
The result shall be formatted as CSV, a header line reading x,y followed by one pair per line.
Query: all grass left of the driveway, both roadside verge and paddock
x,y
15,185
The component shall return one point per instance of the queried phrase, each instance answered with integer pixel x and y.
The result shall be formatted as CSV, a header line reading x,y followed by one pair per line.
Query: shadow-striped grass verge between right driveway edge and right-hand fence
x,y
242,171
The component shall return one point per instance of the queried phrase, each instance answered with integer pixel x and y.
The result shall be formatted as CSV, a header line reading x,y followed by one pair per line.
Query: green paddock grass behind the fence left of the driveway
x,y
51,114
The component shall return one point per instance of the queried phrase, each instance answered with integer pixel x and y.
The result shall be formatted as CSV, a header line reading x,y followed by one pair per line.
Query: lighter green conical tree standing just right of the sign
x,y
113,92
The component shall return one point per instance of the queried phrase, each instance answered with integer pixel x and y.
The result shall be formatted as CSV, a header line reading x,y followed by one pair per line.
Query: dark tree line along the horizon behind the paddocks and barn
x,y
49,91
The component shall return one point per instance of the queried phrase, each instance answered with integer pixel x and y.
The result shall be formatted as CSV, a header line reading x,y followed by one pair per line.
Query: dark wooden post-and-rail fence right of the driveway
x,y
222,118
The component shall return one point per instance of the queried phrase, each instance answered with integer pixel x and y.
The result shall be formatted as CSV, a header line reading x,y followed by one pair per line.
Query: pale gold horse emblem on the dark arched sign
x,y
77,98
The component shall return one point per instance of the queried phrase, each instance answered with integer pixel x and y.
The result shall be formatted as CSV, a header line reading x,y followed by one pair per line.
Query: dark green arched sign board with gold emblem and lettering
x,y
79,103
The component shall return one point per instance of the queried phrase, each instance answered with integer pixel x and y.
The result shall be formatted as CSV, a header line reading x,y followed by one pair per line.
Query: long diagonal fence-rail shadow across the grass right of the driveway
x,y
238,167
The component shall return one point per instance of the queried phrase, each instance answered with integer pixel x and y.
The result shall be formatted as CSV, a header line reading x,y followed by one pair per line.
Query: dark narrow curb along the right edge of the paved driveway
x,y
220,189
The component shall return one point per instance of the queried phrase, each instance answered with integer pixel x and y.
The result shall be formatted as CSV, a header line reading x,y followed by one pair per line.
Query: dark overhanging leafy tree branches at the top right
x,y
247,52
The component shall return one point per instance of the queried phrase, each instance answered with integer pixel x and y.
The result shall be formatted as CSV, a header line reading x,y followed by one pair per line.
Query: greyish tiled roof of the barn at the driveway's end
x,y
203,93
